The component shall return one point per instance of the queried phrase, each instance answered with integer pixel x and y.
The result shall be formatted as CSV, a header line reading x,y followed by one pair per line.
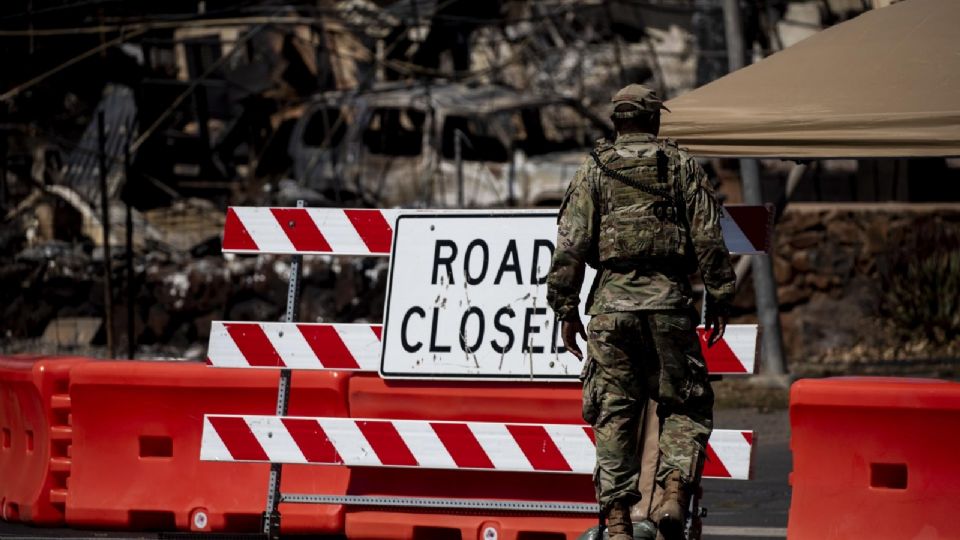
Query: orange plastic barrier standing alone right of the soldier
x,y
874,458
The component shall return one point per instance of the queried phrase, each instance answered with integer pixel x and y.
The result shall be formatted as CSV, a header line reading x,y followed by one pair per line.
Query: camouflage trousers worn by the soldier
x,y
633,356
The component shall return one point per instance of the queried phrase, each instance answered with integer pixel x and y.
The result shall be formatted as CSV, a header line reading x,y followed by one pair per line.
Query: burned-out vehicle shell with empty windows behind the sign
x,y
449,145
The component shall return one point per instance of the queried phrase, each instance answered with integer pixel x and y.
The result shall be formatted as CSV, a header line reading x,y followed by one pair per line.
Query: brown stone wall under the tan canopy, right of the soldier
x,y
836,269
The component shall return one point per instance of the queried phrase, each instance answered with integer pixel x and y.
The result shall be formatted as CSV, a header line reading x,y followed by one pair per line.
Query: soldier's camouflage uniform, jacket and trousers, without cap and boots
x,y
641,339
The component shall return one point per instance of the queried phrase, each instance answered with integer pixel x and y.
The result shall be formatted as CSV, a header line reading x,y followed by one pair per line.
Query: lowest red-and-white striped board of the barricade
x,y
487,446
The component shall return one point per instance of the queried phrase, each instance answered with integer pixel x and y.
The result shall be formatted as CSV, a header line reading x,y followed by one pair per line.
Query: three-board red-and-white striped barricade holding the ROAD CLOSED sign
x,y
432,308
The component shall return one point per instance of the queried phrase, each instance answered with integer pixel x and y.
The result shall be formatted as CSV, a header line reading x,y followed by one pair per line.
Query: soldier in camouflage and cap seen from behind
x,y
641,211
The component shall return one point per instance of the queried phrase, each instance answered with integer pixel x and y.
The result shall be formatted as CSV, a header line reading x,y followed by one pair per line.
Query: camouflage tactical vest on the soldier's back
x,y
642,217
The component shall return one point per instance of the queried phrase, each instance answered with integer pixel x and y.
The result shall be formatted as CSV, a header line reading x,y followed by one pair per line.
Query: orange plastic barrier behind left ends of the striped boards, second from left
x,y
137,430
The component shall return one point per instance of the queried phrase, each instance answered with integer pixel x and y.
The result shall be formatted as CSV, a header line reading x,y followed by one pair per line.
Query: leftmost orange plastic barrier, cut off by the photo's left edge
x,y
35,437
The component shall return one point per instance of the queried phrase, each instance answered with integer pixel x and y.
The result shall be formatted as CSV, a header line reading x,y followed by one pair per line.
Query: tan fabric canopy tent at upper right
x,y
885,84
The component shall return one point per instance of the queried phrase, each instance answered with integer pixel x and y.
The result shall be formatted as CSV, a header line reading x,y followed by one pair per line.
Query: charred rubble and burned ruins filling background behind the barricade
x,y
126,131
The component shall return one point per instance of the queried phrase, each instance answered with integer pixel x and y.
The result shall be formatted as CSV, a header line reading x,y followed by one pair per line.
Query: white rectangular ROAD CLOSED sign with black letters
x,y
467,298
